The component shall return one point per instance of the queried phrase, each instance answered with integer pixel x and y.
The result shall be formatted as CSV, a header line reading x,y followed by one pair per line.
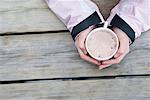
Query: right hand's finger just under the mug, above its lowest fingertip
x,y
114,61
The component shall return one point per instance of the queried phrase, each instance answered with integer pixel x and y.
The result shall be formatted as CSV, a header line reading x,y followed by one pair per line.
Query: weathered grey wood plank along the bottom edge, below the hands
x,y
109,89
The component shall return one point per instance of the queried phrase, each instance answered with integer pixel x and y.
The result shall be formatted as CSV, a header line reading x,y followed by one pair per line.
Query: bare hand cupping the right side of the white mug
x,y
122,51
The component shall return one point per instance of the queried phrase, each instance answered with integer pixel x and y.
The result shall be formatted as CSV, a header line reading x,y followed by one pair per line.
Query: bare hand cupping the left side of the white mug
x,y
80,45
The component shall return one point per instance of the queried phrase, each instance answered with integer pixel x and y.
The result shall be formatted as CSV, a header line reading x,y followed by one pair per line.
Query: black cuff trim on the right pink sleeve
x,y
117,21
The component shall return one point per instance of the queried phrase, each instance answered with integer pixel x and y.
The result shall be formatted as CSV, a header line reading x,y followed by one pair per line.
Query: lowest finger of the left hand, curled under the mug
x,y
87,58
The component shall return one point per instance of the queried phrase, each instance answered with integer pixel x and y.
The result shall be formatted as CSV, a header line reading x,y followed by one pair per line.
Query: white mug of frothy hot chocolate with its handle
x,y
102,43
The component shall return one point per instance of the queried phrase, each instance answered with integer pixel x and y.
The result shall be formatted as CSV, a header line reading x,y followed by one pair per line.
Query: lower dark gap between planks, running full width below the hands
x,y
77,78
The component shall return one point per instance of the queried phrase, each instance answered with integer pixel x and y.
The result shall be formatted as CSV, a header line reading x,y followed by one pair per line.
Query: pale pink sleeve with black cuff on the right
x,y
131,16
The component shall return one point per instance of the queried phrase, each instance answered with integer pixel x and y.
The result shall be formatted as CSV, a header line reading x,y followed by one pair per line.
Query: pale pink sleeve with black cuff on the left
x,y
77,15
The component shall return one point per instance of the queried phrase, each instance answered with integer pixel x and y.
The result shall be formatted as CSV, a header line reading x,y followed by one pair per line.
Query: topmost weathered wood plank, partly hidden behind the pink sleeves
x,y
34,16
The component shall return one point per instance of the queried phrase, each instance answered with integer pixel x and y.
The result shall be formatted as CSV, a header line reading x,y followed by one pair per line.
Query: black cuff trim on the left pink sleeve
x,y
91,20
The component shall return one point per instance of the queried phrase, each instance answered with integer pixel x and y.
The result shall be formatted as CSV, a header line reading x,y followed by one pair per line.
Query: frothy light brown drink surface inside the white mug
x,y
101,44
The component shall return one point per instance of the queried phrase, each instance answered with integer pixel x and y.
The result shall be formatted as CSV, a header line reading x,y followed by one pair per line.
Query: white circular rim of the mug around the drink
x,y
99,29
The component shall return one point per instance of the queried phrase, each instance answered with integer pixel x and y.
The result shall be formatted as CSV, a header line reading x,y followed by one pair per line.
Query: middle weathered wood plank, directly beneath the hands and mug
x,y
54,55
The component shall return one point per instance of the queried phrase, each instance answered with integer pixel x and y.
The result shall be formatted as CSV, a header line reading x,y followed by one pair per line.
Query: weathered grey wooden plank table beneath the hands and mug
x,y
38,59
